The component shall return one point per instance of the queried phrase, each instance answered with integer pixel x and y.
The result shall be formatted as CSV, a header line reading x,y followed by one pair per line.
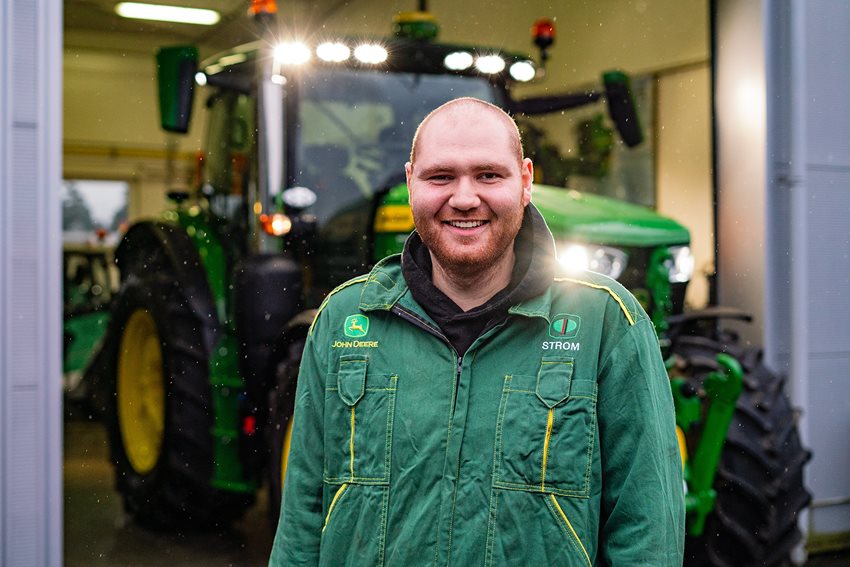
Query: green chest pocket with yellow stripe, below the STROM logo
x,y
546,431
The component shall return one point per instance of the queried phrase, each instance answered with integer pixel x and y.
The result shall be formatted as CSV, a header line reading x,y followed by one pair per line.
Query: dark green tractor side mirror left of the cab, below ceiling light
x,y
176,68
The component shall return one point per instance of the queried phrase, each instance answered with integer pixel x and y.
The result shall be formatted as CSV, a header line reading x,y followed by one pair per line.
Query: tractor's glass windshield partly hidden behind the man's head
x,y
354,127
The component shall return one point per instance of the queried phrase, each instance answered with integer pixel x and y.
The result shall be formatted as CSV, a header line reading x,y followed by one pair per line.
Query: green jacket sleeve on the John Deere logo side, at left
x,y
300,525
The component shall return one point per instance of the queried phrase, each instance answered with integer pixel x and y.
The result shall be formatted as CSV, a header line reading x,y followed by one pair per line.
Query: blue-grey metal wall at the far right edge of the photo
x,y
809,208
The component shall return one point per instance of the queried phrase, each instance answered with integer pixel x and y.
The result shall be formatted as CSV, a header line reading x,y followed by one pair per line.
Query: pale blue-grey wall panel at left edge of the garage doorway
x,y
30,284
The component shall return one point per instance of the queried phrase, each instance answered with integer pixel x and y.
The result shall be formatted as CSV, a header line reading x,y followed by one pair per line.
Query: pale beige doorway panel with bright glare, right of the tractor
x,y
741,142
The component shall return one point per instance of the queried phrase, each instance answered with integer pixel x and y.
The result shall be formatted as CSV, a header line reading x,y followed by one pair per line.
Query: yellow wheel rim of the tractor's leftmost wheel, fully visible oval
x,y
141,392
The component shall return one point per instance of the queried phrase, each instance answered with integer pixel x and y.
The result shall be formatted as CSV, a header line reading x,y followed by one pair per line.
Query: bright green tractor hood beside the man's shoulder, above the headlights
x,y
593,219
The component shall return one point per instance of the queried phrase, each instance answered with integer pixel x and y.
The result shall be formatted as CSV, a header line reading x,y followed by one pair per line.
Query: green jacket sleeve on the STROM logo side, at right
x,y
643,513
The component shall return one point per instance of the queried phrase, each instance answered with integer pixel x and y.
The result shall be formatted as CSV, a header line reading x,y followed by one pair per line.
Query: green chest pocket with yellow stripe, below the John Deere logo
x,y
359,409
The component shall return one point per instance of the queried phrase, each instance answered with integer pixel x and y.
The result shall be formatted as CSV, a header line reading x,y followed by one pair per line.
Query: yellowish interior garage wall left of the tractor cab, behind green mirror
x,y
111,120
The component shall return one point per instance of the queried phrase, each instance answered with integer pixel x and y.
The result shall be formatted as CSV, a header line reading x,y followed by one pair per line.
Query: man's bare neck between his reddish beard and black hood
x,y
471,290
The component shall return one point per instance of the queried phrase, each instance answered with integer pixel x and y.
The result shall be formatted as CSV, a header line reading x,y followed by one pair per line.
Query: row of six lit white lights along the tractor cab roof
x,y
296,53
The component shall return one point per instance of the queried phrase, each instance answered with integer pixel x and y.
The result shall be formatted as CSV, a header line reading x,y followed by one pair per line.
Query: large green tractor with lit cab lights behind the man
x,y
302,188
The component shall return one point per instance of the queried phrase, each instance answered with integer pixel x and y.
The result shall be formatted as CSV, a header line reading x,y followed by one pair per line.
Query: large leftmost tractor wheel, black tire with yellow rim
x,y
160,416
